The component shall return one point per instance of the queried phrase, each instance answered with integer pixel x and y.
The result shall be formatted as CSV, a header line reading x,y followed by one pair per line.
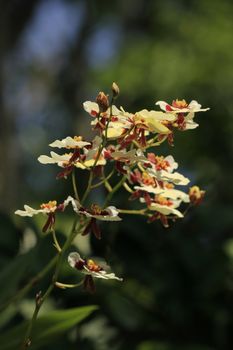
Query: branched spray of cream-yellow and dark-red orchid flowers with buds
x,y
123,144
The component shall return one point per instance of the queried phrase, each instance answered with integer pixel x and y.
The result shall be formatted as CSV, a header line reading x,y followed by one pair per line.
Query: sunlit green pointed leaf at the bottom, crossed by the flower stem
x,y
46,328
